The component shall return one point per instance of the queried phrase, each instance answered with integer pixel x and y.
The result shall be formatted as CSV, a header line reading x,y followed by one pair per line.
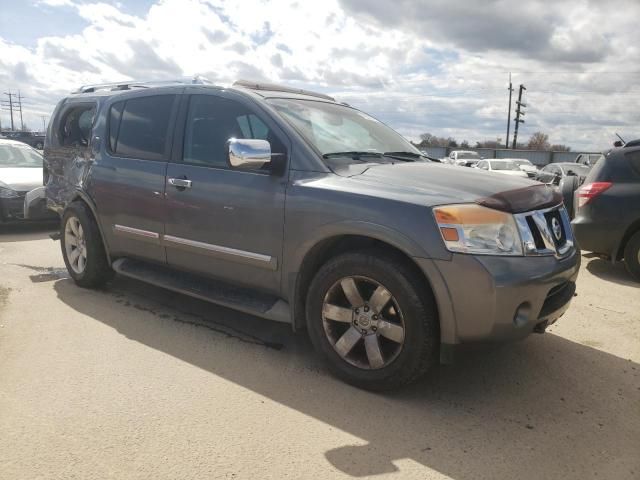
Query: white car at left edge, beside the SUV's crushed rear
x,y
20,175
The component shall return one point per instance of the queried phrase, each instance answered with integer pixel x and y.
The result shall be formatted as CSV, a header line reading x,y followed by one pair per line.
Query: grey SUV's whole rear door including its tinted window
x,y
127,182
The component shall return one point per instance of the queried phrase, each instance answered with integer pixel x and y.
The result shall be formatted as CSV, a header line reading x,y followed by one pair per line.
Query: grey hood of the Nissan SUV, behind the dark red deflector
x,y
433,183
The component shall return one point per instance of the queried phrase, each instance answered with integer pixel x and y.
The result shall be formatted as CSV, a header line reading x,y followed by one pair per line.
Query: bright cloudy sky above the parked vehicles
x,y
437,66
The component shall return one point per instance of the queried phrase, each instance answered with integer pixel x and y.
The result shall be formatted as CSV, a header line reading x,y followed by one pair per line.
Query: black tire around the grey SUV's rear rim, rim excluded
x,y
96,271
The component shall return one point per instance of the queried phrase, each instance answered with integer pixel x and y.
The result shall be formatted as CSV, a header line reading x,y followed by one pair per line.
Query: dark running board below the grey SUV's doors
x,y
242,299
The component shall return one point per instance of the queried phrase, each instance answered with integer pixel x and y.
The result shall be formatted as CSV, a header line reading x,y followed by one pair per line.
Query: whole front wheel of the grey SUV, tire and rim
x,y
369,316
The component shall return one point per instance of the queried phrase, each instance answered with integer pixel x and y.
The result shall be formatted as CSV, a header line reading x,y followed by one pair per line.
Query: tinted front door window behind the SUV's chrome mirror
x,y
211,121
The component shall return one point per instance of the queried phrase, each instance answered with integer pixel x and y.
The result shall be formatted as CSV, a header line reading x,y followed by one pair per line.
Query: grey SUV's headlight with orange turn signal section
x,y
471,228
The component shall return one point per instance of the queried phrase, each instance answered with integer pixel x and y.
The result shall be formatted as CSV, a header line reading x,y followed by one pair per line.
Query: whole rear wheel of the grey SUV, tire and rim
x,y
82,247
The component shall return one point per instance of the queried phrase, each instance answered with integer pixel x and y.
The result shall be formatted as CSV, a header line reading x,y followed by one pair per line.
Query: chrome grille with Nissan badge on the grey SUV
x,y
546,232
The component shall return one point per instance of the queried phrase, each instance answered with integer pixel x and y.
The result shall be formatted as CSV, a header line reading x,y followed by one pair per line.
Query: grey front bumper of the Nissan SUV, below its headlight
x,y
495,299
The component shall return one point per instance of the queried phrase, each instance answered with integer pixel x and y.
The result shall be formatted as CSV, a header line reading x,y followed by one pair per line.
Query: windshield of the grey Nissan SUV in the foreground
x,y
332,128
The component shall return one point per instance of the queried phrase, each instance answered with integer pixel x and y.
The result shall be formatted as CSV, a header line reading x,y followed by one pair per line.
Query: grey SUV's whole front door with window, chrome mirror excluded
x,y
226,224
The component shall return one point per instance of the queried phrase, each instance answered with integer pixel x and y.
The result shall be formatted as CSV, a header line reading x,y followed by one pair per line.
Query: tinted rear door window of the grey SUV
x,y
143,128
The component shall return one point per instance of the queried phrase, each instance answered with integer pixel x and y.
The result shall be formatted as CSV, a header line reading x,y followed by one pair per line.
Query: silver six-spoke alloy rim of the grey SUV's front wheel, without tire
x,y
363,322
